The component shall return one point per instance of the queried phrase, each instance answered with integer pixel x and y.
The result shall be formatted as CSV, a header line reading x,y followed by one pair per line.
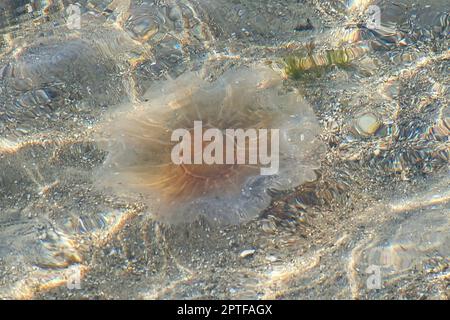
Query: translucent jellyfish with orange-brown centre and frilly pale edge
x,y
139,141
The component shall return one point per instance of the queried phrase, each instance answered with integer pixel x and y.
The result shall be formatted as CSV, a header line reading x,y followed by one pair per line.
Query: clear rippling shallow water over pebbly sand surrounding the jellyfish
x,y
373,224
